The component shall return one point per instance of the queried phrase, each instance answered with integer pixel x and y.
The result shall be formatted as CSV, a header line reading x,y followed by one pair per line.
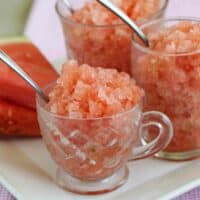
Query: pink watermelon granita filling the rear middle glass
x,y
96,36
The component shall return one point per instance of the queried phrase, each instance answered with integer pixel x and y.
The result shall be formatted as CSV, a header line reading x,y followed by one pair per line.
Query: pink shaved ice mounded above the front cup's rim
x,y
86,92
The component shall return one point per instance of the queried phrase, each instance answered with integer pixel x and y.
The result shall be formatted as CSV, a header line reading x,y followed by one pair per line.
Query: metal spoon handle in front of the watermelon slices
x,y
15,67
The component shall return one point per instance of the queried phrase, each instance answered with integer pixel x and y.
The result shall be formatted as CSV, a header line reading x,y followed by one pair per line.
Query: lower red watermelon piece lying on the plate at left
x,y
17,120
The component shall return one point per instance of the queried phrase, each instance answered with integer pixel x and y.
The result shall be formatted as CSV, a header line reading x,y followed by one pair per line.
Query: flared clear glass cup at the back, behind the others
x,y
100,45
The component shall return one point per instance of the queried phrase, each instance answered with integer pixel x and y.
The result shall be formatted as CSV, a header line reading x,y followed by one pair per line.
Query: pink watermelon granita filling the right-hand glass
x,y
170,74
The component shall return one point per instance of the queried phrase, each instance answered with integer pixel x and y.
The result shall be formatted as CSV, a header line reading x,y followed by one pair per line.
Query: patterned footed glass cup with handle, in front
x,y
91,154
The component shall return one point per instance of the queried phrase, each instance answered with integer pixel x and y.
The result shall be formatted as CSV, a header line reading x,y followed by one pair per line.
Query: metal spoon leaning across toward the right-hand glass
x,y
117,11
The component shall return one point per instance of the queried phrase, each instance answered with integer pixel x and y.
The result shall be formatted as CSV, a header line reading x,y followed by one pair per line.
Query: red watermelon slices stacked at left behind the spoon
x,y
17,99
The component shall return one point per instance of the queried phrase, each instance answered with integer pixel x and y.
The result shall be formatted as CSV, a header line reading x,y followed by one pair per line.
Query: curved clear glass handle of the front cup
x,y
165,133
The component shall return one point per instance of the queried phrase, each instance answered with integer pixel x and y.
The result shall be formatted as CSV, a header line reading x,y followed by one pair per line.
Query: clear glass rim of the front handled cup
x,y
40,101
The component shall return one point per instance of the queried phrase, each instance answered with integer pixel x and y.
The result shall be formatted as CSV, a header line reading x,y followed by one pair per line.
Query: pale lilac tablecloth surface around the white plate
x,y
50,40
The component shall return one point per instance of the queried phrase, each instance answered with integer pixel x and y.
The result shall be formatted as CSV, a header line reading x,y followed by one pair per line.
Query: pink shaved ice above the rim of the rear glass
x,y
94,13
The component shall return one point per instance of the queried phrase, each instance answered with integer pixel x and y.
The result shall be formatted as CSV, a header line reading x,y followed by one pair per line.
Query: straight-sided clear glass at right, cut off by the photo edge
x,y
172,85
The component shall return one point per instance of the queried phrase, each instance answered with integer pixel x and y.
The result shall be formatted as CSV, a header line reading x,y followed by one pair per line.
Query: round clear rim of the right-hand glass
x,y
156,52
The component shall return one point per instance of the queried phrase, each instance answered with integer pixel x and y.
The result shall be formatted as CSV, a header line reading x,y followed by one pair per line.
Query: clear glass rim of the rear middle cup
x,y
69,20
